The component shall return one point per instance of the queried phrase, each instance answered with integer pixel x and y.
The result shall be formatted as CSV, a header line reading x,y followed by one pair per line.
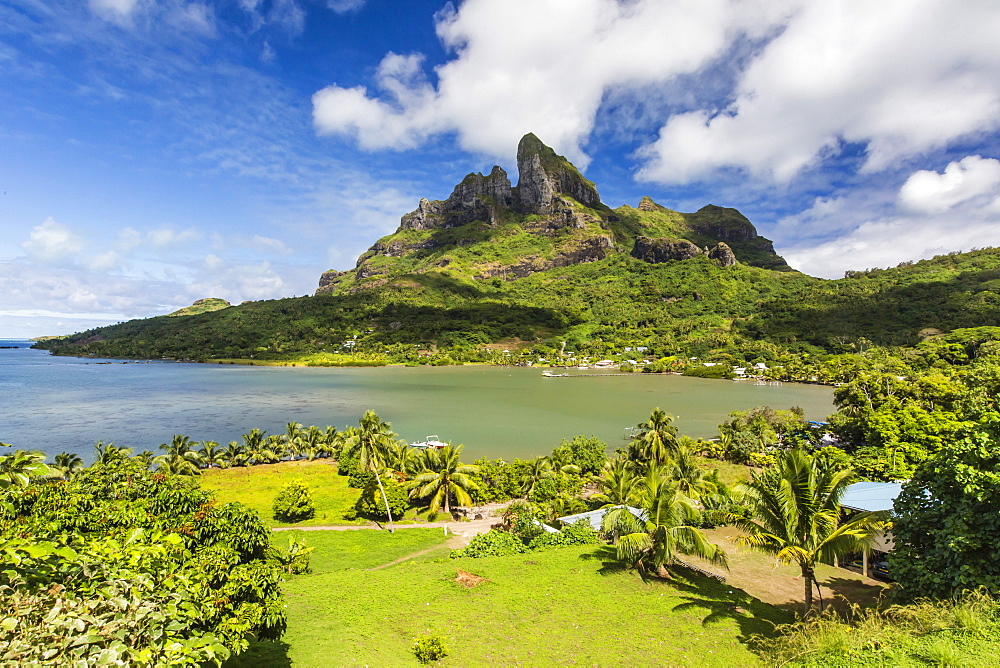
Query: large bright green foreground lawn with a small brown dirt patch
x,y
568,605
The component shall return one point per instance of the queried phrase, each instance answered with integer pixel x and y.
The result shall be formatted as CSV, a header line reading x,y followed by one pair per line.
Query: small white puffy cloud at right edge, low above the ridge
x,y
931,192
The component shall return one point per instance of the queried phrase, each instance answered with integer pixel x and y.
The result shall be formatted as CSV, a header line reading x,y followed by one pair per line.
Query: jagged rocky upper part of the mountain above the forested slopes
x,y
552,218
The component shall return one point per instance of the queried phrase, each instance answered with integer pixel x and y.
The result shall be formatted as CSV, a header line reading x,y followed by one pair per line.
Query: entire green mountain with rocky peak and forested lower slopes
x,y
547,262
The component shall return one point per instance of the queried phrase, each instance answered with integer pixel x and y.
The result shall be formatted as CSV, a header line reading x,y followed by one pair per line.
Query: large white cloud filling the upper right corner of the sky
x,y
901,77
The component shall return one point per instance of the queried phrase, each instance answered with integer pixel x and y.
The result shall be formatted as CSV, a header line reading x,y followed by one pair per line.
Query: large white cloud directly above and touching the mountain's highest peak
x,y
539,66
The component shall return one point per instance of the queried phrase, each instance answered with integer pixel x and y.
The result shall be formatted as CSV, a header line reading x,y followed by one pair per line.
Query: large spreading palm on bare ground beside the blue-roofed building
x,y
795,506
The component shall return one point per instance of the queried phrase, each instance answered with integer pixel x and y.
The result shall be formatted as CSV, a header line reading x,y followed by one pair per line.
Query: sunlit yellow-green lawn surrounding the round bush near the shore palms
x,y
256,487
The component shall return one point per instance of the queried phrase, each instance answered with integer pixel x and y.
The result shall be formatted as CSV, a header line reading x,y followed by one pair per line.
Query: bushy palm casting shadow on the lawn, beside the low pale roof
x,y
652,543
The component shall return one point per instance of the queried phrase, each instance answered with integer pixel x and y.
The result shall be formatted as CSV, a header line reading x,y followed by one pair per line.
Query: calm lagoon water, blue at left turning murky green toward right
x,y
63,403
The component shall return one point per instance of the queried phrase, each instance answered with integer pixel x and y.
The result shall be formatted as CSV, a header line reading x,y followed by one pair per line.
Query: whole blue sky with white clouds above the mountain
x,y
154,152
